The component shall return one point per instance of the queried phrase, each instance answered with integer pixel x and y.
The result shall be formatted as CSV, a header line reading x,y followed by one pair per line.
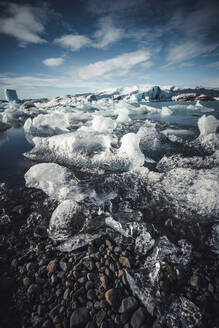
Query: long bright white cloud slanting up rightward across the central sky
x,y
117,66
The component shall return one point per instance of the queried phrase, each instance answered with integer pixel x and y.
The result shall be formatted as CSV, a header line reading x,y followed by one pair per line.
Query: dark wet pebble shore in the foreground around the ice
x,y
47,288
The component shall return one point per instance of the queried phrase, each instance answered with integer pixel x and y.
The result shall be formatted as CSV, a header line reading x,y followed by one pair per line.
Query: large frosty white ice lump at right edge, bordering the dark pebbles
x,y
191,193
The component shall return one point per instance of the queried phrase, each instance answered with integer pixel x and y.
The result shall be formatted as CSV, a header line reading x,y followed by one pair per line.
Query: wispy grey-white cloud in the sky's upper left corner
x,y
23,22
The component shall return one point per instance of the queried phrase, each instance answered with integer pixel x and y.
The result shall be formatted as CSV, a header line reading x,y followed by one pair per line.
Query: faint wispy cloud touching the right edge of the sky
x,y
188,50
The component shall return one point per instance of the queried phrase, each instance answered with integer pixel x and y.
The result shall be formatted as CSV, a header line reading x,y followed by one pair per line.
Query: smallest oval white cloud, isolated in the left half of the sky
x,y
73,41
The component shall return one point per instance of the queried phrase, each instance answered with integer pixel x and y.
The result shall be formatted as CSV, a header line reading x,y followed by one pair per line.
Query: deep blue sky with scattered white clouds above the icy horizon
x,y
59,47
